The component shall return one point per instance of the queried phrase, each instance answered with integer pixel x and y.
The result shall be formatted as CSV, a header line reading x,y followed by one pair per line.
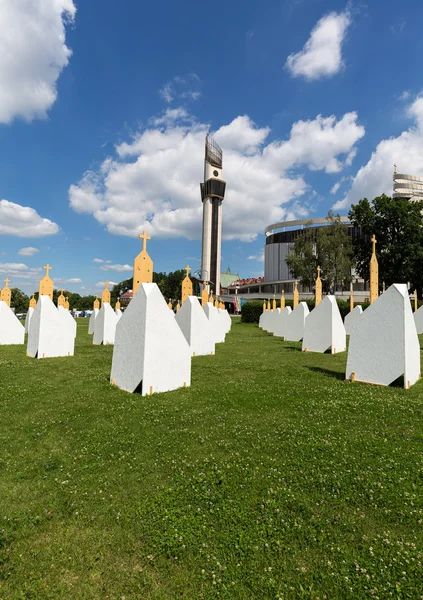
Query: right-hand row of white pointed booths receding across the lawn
x,y
383,344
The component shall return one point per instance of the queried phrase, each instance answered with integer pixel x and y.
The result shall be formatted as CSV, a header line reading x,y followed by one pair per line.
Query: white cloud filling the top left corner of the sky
x,y
33,53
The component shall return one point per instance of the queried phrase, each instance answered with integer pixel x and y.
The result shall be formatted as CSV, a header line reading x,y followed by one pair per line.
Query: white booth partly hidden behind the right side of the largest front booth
x,y
196,327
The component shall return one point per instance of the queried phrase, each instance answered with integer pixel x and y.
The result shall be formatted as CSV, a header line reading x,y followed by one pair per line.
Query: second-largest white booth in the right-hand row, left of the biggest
x,y
324,328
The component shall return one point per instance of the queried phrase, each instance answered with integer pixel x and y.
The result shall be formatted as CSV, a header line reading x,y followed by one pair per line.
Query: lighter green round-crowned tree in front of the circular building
x,y
328,247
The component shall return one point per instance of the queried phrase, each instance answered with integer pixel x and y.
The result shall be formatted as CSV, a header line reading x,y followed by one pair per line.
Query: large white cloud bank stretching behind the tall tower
x,y
153,181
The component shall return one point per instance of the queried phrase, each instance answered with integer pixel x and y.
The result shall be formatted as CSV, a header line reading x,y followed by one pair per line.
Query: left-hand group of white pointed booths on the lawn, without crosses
x,y
153,346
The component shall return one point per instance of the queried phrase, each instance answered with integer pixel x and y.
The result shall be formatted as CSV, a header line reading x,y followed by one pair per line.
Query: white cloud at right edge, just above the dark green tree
x,y
405,151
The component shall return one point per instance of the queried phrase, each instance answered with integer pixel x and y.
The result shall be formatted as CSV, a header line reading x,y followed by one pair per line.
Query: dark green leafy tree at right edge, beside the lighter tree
x,y
398,227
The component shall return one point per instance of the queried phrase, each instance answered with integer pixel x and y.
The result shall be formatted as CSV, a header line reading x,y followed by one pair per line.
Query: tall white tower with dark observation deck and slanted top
x,y
212,194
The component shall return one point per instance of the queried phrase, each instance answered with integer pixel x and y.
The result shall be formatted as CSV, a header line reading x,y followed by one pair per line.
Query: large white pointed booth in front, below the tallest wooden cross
x,y
151,353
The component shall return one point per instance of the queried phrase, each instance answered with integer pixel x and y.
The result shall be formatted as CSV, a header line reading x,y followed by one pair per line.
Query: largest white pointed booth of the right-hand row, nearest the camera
x,y
384,343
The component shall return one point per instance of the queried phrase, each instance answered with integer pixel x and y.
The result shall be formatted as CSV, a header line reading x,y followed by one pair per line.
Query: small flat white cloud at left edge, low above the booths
x,y
24,221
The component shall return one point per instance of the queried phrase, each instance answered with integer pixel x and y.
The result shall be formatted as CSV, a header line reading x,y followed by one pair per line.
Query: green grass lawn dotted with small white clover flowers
x,y
270,477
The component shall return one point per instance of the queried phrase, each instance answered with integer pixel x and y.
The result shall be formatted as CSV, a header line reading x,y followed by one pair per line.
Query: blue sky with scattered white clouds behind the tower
x,y
105,106
